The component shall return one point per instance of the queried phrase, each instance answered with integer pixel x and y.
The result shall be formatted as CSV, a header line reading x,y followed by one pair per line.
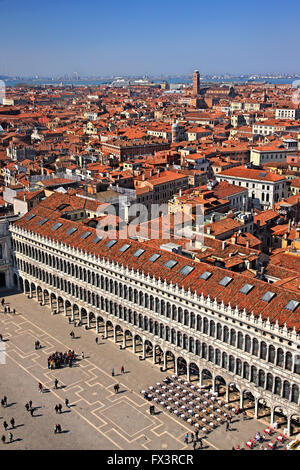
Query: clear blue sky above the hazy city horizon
x,y
96,37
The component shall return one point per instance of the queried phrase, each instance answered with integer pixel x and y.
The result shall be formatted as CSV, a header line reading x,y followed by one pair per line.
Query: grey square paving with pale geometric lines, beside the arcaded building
x,y
98,418
